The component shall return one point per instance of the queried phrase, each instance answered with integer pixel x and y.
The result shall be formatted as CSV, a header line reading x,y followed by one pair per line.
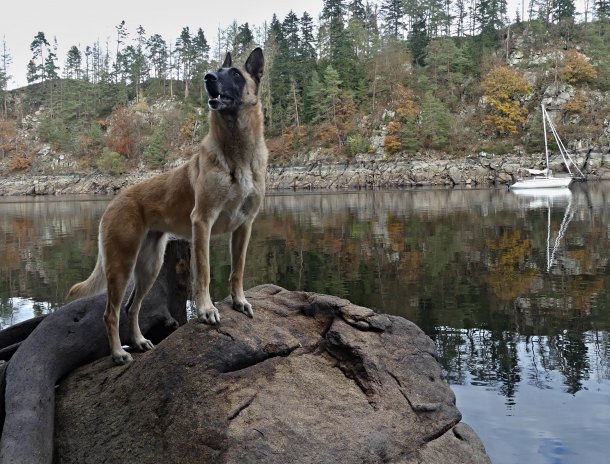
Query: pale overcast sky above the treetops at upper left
x,y
82,23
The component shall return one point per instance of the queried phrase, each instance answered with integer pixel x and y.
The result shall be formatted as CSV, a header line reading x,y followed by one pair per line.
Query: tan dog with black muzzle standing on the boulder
x,y
219,190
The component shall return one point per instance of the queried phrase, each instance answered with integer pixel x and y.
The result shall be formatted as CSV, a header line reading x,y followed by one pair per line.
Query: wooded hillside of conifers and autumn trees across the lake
x,y
415,77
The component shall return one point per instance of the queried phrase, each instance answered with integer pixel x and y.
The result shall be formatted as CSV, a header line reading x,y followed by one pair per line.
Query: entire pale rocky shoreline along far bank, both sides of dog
x,y
359,172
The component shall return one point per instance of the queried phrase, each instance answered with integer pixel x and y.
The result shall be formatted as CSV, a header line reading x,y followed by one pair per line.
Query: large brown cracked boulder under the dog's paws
x,y
312,378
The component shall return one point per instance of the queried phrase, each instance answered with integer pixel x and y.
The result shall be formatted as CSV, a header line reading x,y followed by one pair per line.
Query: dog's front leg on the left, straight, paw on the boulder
x,y
202,229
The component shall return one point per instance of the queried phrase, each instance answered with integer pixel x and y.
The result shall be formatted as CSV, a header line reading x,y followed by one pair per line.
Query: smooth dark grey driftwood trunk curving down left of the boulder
x,y
70,337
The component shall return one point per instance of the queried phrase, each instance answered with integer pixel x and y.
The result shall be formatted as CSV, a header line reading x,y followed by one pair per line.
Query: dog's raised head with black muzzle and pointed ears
x,y
230,87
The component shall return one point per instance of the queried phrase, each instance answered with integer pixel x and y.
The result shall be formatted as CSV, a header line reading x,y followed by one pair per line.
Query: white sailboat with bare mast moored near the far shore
x,y
544,178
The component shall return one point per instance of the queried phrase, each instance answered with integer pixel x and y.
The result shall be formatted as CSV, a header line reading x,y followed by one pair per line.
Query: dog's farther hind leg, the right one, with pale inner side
x,y
148,265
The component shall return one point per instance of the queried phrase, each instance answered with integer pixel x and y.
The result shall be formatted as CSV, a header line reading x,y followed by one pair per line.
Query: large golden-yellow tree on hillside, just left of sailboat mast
x,y
503,90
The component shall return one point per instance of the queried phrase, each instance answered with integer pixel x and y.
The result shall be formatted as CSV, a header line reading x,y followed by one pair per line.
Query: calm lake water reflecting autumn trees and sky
x,y
515,290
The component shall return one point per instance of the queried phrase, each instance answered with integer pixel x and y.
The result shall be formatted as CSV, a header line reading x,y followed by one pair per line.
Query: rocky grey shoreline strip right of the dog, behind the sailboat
x,y
482,169
